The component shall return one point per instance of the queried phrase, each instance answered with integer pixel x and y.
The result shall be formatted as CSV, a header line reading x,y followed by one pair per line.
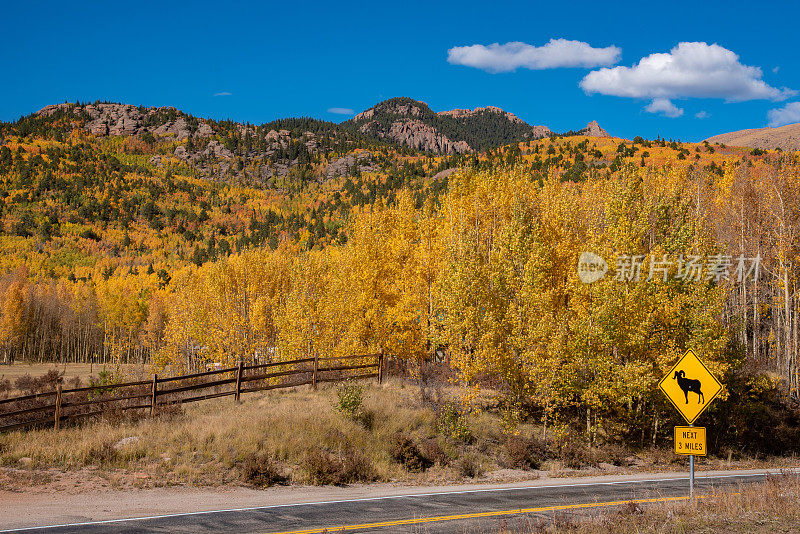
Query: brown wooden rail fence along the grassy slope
x,y
52,408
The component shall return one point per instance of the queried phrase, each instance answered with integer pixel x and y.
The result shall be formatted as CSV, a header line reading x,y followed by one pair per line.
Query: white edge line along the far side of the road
x,y
387,497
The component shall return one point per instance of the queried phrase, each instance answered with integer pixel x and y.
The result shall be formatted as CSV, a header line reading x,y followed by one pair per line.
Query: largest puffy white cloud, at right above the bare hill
x,y
689,70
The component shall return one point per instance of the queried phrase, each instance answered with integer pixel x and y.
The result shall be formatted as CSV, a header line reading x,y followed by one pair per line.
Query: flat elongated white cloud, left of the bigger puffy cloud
x,y
511,56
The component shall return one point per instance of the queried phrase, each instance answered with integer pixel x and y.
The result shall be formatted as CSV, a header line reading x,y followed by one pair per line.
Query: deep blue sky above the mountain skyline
x,y
266,60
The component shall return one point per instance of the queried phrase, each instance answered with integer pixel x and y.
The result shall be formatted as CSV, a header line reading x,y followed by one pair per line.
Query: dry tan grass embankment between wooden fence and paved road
x,y
337,435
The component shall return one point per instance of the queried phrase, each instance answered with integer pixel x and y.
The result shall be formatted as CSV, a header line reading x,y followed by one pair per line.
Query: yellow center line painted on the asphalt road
x,y
476,515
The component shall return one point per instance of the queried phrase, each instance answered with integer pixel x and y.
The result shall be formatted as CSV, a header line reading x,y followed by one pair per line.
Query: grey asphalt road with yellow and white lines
x,y
456,511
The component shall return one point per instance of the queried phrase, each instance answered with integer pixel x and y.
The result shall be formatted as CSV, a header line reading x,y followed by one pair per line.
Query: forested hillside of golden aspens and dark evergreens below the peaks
x,y
117,248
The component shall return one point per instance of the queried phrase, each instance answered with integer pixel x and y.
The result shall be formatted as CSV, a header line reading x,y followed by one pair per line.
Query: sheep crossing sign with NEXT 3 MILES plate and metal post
x,y
690,387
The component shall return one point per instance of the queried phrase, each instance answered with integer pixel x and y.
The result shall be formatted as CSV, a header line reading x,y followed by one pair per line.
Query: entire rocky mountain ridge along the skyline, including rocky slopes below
x,y
301,149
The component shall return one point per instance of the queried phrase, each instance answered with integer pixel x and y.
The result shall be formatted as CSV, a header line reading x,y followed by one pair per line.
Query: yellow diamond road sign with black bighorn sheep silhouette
x,y
690,386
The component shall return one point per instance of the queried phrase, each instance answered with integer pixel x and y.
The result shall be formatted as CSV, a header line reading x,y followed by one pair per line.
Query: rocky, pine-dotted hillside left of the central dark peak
x,y
219,149
